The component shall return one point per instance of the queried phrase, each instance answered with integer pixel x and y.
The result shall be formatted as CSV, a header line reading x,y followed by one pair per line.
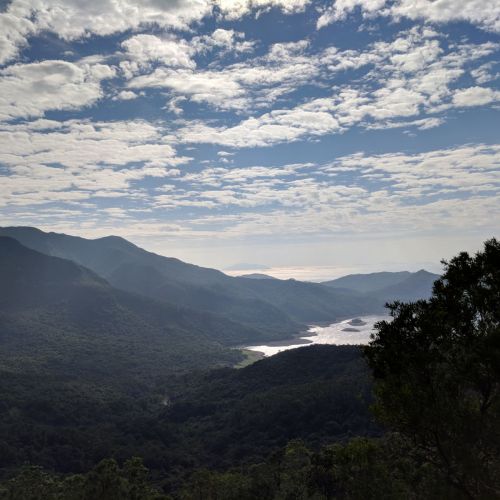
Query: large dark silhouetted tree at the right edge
x,y
437,372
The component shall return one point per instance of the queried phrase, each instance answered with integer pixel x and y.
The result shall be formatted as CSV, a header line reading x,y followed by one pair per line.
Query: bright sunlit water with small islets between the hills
x,y
344,332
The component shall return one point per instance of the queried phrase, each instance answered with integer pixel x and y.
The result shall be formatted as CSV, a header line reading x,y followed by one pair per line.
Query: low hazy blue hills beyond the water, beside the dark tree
x,y
388,285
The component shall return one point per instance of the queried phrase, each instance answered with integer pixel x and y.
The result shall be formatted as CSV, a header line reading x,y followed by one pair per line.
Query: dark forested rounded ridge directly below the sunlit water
x,y
318,393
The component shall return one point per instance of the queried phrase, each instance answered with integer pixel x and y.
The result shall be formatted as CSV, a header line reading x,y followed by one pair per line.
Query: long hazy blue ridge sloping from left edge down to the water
x,y
275,307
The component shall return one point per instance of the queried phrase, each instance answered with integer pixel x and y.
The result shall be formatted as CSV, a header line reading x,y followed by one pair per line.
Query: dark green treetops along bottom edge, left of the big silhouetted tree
x,y
361,469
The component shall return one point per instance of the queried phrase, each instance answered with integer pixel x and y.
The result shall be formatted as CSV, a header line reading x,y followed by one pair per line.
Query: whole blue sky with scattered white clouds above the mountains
x,y
301,138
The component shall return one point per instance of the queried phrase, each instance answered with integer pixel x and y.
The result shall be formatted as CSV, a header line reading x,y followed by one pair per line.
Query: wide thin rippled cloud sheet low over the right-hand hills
x,y
393,193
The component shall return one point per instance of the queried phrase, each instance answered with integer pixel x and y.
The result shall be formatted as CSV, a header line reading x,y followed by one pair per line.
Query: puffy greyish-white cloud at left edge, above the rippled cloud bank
x,y
29,90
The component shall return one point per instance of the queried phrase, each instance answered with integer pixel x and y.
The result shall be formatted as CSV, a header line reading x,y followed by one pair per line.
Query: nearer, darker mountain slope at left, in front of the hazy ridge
x,y
56,315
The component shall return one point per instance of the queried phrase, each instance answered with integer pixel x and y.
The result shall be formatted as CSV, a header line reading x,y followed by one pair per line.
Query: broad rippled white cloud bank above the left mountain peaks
x,y
49,161
